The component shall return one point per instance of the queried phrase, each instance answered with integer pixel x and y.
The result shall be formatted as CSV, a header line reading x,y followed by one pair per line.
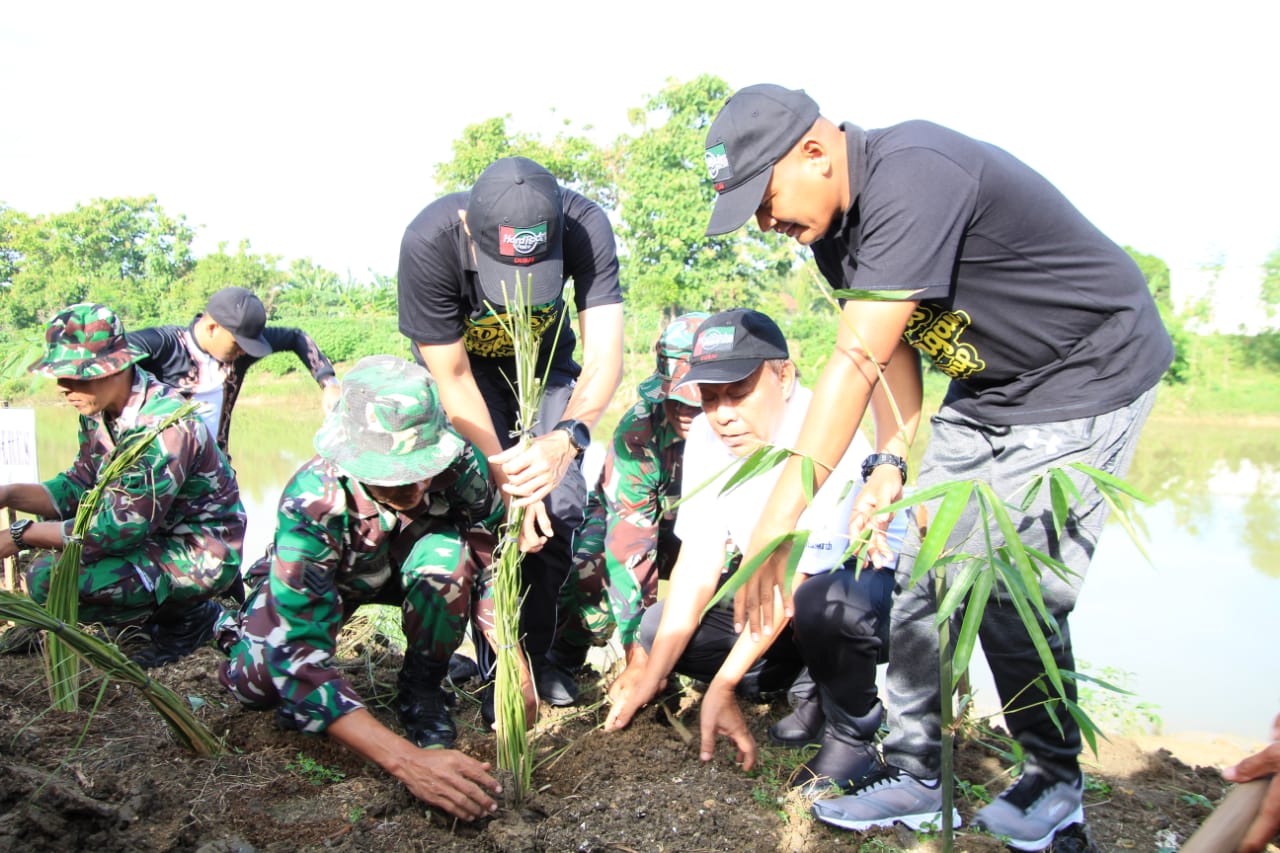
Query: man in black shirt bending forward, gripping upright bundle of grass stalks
x,y
461,261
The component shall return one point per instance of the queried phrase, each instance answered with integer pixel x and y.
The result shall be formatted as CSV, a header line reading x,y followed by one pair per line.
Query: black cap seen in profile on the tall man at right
x,y
753,131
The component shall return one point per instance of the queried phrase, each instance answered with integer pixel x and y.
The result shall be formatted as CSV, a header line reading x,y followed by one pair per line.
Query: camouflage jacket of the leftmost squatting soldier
x,y
182,486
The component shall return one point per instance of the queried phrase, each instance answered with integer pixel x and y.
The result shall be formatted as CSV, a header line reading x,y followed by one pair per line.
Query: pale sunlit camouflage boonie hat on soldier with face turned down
x,y
388,428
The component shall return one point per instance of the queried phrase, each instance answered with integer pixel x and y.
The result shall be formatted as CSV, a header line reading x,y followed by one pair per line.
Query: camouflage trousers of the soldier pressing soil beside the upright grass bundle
x,y
433,587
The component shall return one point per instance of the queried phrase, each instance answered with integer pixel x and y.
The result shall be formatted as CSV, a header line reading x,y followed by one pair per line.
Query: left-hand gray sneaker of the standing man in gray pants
x,y
888,797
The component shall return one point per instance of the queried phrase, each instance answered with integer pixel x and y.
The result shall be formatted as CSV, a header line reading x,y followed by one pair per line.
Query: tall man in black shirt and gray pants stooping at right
x,y
1054,348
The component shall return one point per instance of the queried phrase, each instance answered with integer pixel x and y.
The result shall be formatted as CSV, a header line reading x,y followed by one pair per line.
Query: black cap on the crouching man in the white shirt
x,y
733,345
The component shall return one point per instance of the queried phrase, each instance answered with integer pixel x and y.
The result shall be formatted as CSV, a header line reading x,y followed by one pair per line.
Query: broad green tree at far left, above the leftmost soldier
x,y
125,253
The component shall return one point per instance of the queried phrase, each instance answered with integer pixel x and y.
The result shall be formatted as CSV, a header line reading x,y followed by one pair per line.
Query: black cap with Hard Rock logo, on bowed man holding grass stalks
x,y
516,217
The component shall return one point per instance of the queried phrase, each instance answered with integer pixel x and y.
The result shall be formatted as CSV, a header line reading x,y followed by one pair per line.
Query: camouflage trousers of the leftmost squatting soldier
x,y
127,589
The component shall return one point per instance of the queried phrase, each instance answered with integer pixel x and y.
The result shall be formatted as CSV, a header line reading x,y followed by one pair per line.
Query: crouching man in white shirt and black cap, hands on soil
x,y
752,398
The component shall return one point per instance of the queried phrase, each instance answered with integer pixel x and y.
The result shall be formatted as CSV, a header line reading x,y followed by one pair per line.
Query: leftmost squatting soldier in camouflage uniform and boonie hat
x,y
168,535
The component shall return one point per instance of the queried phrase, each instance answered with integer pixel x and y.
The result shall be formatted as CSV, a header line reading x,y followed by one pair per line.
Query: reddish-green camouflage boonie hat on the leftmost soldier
x,y
85,341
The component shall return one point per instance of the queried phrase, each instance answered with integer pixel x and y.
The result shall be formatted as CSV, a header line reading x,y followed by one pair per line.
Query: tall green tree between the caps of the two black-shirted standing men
x,y
665,202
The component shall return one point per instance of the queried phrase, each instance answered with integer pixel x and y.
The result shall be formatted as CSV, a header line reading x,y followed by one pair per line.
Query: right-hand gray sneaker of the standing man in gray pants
x,y
1032,811
